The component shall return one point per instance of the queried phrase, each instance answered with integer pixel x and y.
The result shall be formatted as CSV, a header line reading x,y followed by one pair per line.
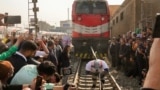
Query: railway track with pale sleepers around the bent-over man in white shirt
x,y
84,82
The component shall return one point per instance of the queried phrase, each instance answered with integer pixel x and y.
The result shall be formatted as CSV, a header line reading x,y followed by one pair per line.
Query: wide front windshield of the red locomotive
x,y
91,7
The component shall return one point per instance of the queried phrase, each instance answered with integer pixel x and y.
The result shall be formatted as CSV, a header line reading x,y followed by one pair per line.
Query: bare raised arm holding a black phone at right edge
x,y
152,80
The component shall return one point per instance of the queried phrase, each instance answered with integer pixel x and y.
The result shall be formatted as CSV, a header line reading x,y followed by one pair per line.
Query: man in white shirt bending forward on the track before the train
x,y
96,67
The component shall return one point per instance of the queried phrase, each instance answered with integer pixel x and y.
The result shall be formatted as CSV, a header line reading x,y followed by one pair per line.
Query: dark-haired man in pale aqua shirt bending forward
x,y
46,69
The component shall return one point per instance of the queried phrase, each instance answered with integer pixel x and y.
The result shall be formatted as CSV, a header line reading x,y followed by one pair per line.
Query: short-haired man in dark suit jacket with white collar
x,y
22,57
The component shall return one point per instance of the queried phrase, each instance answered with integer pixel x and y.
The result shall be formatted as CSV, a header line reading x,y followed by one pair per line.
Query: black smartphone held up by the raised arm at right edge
x,y
156,30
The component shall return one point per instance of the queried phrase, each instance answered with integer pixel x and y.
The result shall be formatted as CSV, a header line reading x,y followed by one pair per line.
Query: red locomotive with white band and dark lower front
x,y
90,22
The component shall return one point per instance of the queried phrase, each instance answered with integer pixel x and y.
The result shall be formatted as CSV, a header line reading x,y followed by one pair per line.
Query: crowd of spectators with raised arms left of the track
x,y
24,59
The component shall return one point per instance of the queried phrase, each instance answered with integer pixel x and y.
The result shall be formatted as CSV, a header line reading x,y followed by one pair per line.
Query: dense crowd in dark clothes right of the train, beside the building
x,y
130,53
